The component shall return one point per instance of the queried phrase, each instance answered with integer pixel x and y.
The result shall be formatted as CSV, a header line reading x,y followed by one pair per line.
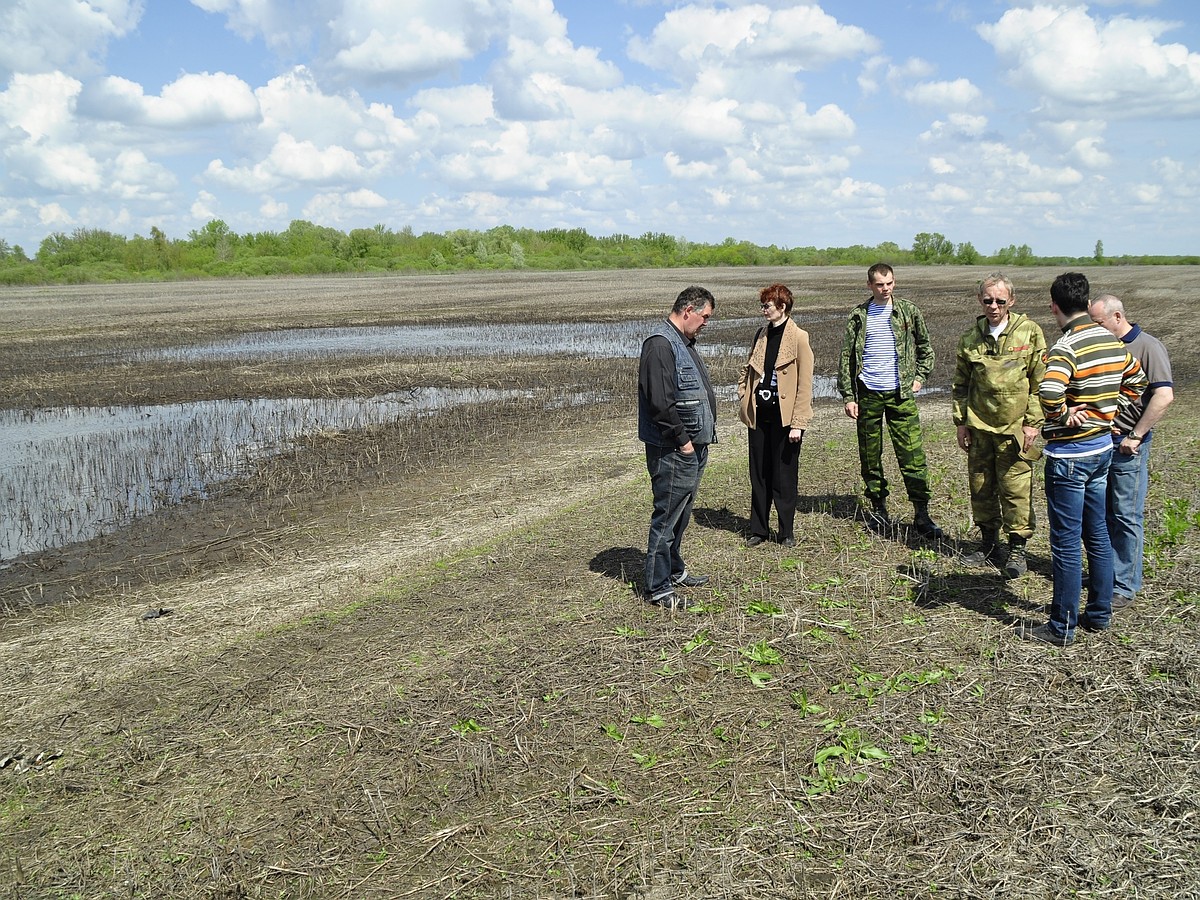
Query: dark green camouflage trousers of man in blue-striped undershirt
x,y
904,428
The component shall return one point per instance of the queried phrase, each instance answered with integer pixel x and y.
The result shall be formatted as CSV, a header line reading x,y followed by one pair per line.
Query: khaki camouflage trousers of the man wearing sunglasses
x,y
1001,484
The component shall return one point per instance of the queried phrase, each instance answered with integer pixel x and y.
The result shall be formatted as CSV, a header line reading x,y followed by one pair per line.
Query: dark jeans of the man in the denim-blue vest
x,y
675,478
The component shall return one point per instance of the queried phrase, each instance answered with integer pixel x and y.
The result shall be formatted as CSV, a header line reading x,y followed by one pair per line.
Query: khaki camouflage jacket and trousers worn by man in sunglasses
x,y
995,395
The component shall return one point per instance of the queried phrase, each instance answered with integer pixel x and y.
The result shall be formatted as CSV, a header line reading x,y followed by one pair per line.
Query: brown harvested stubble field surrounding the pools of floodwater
x,y
415,663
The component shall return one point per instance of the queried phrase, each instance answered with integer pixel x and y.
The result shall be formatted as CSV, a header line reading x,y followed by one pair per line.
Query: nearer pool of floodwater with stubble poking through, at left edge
x,y
71,475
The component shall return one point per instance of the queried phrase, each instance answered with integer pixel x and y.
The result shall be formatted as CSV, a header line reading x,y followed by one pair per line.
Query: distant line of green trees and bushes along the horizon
x,y
93,255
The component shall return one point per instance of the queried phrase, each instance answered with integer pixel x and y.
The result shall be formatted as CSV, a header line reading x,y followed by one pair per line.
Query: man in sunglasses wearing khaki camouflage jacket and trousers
x,y
1000,364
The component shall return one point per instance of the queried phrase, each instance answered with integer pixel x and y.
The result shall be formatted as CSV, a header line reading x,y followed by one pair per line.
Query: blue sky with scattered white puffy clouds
x,y
835,124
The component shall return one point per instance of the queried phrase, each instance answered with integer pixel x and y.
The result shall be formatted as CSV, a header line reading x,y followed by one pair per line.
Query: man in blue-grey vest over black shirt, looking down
x,y
677,422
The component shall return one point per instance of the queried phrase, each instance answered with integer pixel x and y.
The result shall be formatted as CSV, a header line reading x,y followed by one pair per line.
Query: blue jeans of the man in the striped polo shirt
x,y
1077,491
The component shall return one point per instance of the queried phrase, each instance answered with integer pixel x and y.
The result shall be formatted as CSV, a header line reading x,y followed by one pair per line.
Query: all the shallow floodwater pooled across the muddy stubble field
x,y
74,473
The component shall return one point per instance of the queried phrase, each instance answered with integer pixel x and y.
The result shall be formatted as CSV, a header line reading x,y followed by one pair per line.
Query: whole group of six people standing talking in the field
x,y
1094,397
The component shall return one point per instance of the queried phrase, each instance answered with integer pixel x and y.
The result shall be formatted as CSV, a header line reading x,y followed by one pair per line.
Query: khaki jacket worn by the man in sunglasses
x,y
997,381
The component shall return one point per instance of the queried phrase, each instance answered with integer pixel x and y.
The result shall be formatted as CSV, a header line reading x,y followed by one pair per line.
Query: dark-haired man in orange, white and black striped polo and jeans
x,y
1090,377
